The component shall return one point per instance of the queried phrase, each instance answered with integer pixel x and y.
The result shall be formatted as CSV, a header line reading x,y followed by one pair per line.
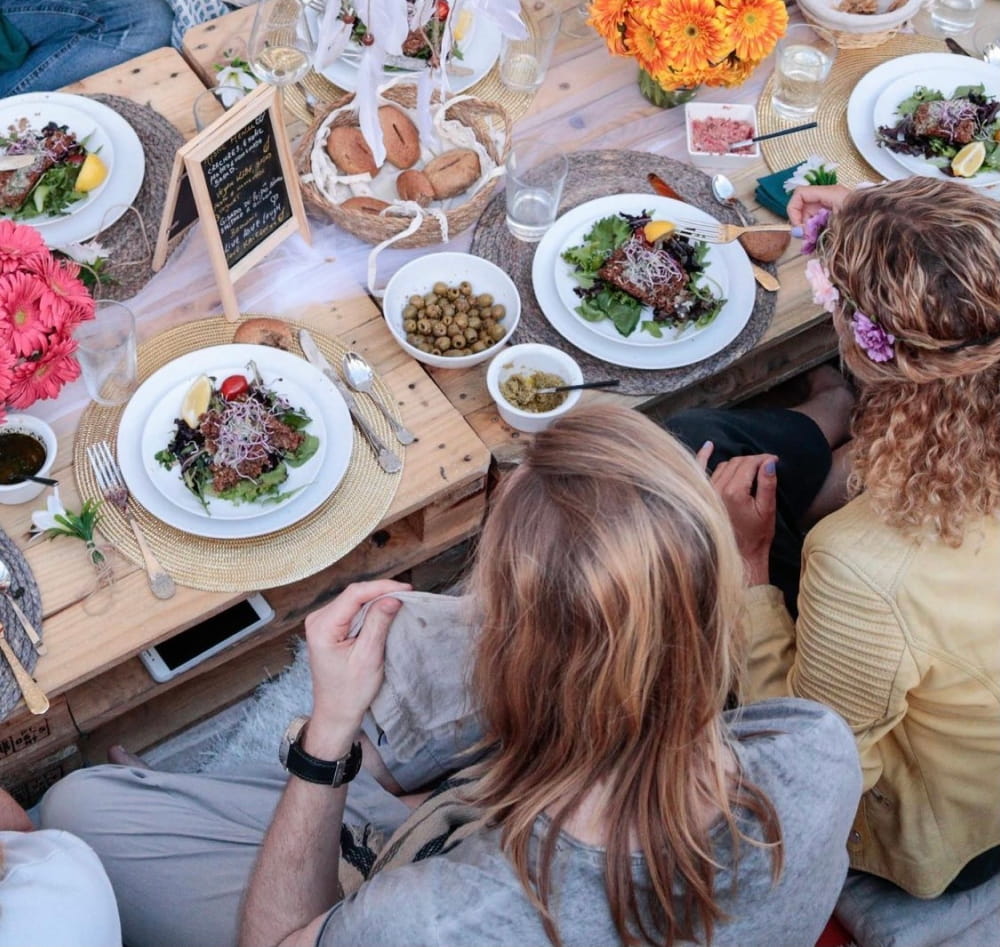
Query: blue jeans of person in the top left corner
x,y
72,39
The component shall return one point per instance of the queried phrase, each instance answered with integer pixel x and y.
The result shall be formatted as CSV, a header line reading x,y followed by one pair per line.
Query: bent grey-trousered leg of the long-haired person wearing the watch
x,y
179,847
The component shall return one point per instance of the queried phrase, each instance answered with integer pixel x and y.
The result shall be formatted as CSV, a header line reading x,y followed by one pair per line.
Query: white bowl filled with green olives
x,y
451,310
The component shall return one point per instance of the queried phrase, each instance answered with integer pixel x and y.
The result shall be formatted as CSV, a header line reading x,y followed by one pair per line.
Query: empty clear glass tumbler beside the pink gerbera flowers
x,y
106,353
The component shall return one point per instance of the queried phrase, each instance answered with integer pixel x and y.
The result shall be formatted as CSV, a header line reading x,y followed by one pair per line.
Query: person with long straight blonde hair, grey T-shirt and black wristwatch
x,y
618,801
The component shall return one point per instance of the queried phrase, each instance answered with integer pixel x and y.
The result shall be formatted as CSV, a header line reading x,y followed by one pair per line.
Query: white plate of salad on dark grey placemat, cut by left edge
x,y
118,145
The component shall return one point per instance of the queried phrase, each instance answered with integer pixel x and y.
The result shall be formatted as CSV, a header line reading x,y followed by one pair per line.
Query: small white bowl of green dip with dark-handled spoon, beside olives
x,y
517,373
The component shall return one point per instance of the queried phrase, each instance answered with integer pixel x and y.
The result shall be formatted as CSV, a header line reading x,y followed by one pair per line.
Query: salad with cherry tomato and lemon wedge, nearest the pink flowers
x,y
236,440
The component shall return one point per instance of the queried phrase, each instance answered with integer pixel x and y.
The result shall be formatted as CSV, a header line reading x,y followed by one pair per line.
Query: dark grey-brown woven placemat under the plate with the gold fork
x,y
594,174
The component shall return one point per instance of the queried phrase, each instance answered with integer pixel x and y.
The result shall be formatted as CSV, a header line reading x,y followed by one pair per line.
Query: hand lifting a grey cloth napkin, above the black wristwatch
x,y
347,672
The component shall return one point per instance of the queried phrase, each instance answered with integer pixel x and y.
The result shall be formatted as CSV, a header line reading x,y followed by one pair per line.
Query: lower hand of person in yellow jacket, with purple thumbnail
x,y
751,511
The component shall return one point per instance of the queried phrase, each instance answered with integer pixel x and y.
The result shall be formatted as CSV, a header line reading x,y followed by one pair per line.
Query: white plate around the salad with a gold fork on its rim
x,y
724,329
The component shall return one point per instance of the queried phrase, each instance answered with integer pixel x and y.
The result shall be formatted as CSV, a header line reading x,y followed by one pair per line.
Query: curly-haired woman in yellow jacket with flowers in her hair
x,y
899,597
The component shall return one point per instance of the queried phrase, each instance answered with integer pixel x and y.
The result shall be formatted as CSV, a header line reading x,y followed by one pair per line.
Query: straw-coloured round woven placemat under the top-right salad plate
x,y
831,138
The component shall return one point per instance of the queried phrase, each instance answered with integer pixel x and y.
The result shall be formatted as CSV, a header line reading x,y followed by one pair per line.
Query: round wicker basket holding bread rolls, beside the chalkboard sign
x,y
489,123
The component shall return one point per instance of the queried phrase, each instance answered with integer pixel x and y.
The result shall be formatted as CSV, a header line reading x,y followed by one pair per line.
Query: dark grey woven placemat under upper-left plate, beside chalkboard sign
x,y
129,241
